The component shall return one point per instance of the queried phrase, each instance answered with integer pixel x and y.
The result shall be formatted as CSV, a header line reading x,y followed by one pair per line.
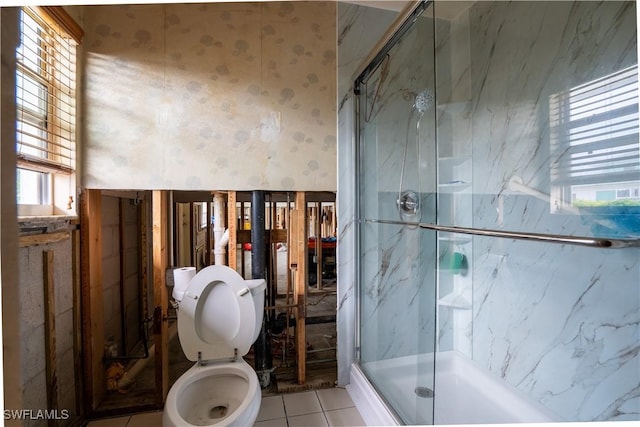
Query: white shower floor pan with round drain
x,y
463,393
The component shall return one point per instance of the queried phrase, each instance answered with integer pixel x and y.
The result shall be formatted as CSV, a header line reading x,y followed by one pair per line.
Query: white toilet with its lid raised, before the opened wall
x,y
219,317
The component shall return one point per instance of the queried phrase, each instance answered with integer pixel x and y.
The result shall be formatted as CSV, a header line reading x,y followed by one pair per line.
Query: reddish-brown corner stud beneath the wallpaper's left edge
x,y
92,297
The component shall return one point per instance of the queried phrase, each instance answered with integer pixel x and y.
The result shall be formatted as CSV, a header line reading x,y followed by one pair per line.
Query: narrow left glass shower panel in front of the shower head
x,y
397,178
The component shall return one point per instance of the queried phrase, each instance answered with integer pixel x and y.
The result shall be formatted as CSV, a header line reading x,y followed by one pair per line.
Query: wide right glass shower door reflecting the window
x,y
537,134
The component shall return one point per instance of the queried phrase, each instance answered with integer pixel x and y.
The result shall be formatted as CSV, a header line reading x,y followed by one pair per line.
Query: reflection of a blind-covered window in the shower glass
x,y
595,144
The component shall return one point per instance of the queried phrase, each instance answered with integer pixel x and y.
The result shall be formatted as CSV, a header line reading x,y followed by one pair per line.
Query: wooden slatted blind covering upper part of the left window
x,y
45,95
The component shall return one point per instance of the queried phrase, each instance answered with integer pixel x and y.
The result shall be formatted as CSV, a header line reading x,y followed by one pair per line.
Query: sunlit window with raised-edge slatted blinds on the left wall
x,y
46,108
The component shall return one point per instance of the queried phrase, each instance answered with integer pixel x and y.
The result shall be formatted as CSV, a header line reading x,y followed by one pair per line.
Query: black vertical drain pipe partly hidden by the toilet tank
x,y
262,346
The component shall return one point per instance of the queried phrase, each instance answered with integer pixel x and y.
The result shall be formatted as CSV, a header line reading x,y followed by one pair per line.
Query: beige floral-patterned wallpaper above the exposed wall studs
x,y
224,96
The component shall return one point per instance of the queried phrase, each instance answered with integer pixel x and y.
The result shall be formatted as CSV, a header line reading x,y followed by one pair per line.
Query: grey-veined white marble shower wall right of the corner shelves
x,y
560,323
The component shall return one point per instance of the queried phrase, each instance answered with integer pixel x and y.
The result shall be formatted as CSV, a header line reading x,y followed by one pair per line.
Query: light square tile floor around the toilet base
x,y
327,407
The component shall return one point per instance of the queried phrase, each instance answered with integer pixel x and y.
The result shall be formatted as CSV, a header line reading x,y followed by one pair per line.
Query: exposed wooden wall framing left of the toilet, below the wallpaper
x,y
147,216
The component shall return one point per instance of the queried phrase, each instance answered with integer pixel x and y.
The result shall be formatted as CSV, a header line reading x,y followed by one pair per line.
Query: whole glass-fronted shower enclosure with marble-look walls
x,y
498,176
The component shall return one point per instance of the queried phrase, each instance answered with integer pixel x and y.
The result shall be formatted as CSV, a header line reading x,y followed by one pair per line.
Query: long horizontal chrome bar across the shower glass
x,y
536,237
